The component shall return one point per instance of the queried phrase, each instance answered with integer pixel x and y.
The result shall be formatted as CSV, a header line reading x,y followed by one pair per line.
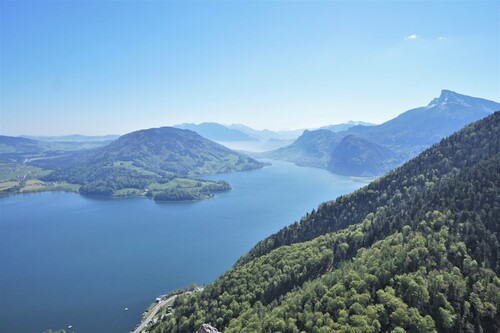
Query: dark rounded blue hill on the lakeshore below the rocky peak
x,y
354,156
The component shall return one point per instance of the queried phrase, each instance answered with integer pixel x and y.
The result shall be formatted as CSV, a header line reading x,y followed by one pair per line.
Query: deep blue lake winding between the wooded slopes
x,y
66,259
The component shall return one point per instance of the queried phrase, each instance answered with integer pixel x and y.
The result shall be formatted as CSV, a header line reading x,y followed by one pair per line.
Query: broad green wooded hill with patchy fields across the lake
x,y
136,160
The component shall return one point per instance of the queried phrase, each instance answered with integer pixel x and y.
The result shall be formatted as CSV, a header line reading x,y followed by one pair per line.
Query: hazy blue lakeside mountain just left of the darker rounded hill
x,y
312,148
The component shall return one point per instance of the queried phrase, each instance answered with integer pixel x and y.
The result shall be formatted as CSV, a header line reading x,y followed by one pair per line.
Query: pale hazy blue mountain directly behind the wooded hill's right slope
x,y
217,132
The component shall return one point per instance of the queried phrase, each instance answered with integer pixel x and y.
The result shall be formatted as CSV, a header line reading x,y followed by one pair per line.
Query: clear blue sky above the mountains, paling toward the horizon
x,y
102,67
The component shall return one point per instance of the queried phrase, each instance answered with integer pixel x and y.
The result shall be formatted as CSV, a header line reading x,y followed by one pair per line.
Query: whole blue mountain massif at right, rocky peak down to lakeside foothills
x,y
375,149
